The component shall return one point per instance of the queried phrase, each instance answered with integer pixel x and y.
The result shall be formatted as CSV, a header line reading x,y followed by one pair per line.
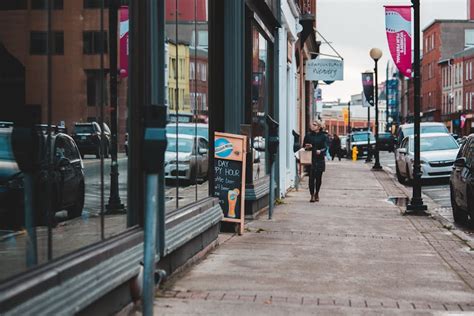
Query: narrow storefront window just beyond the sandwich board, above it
x,y
260,95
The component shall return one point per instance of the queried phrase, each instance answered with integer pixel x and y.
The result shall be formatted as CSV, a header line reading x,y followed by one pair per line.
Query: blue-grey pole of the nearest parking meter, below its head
x,y
151,206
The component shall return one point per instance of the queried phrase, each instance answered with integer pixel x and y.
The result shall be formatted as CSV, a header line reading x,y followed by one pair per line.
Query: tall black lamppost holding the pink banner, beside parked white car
x,y
416,204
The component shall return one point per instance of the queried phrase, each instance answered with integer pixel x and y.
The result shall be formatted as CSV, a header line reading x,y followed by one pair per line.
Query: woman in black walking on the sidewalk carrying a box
x,y
316,142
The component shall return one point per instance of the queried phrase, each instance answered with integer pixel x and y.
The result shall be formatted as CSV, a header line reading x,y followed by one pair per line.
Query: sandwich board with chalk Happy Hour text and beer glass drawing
x,y
229,176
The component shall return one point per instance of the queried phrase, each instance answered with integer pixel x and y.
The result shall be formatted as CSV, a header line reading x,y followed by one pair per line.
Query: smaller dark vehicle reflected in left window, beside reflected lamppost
x,y
88,138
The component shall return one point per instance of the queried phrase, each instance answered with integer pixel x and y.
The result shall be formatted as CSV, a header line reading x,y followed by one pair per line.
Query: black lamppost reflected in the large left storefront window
x,y
115,204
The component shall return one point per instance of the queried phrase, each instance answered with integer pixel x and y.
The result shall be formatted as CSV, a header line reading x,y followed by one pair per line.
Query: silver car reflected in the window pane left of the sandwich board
x,y
186,157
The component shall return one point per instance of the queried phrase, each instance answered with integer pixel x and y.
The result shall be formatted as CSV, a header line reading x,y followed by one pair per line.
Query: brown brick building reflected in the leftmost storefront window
x,y
75,89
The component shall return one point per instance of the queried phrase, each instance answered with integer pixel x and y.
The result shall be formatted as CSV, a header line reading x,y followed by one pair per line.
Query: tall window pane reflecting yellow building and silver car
x,y
187,158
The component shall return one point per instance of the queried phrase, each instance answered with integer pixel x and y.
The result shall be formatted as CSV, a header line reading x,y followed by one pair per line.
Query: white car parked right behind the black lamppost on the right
x,y
437,154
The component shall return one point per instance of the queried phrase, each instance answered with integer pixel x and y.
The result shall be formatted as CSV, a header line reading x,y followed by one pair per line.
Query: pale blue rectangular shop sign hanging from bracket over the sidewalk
x,y
324,69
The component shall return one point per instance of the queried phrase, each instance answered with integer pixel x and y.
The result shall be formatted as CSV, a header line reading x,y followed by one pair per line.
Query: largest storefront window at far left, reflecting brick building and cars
x,y
60,195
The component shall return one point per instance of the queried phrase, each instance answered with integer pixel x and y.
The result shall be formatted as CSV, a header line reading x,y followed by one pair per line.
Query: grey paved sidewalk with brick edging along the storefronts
x,y
350,253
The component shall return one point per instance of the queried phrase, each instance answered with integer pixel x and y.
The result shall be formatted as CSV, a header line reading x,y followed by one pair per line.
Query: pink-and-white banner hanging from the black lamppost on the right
x,y
398,27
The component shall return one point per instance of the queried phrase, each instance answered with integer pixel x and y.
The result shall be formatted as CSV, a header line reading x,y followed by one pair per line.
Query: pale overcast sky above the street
x,y
355,26
